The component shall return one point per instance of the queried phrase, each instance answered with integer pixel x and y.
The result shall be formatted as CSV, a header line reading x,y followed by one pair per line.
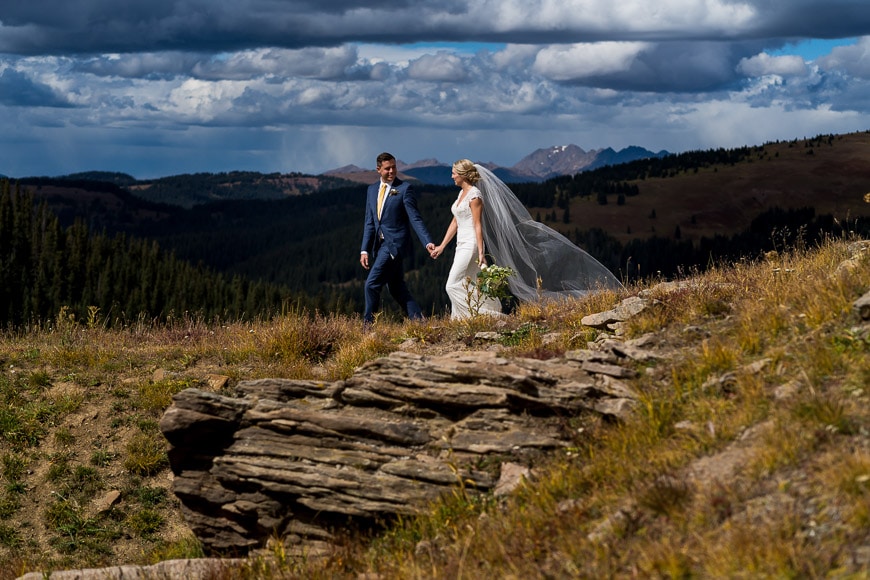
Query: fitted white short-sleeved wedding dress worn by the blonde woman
x,y
464,296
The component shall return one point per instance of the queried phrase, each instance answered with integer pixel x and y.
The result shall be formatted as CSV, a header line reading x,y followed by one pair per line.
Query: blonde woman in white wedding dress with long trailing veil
x,y
546,263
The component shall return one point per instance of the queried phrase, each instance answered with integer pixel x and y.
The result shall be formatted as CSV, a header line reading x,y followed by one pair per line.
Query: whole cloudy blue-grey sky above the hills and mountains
x,y
162,87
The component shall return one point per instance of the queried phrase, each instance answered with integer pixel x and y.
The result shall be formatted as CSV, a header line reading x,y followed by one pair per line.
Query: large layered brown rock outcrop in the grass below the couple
x,y
301,459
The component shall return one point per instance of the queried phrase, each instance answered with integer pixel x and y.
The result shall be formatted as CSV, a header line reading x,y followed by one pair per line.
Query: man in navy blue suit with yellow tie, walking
x,y
391,212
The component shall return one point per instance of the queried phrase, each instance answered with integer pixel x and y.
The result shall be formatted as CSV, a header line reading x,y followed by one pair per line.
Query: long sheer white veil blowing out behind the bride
x,y
548,265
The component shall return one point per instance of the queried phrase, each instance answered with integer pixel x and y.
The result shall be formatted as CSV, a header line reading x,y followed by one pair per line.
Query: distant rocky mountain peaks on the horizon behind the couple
x,y
538,166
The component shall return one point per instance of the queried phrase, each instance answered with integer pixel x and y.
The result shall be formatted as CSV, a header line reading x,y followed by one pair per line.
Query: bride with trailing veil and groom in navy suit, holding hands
x,y
488,220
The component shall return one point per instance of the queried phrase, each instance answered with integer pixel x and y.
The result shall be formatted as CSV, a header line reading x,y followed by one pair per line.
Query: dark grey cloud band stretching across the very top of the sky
x,y
106,26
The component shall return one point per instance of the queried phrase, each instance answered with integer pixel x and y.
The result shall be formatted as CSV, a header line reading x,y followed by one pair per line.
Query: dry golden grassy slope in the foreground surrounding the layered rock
x,y
748,455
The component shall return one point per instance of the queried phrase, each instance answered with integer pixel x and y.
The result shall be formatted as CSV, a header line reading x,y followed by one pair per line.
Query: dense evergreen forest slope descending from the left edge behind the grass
x,y
46,269
